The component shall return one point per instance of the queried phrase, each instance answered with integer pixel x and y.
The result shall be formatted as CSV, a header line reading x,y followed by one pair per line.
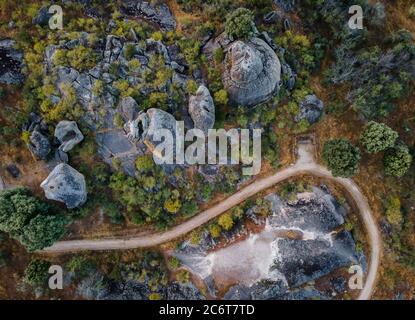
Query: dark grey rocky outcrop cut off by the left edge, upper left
x,y
11,63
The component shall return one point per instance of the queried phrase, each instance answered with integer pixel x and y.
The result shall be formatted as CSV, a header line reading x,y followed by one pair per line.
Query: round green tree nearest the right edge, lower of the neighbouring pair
x,y
397,161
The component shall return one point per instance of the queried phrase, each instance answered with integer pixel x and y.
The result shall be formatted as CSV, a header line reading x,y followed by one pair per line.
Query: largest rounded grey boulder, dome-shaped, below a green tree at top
x,y
252,72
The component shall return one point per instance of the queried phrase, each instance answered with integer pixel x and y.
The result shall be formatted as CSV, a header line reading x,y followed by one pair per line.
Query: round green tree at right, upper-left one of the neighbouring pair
x,y
378,137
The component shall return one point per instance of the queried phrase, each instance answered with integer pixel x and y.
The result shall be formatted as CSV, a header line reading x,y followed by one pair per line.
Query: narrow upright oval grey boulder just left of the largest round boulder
x,y
202,109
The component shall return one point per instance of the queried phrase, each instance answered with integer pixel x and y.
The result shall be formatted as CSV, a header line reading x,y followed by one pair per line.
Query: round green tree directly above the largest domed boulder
x,y
240,24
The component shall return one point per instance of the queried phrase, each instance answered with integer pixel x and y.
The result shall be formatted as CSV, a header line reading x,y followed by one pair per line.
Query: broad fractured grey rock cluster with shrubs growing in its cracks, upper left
x,y
122,143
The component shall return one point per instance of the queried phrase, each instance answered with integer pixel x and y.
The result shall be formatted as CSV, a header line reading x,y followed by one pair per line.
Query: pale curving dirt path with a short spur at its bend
x,y
305,164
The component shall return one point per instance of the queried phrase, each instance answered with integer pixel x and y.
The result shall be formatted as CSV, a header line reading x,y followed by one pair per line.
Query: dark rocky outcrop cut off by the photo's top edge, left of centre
x,y
158,13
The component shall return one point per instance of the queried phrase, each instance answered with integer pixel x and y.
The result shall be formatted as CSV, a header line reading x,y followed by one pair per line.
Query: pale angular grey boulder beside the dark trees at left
x,y
65,184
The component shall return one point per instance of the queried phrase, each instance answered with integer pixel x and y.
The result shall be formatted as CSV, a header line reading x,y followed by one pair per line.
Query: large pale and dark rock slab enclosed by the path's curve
x,y
303,241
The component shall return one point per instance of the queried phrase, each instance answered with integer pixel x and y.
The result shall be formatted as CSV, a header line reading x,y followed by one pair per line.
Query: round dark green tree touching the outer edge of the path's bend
x,y
342,157
